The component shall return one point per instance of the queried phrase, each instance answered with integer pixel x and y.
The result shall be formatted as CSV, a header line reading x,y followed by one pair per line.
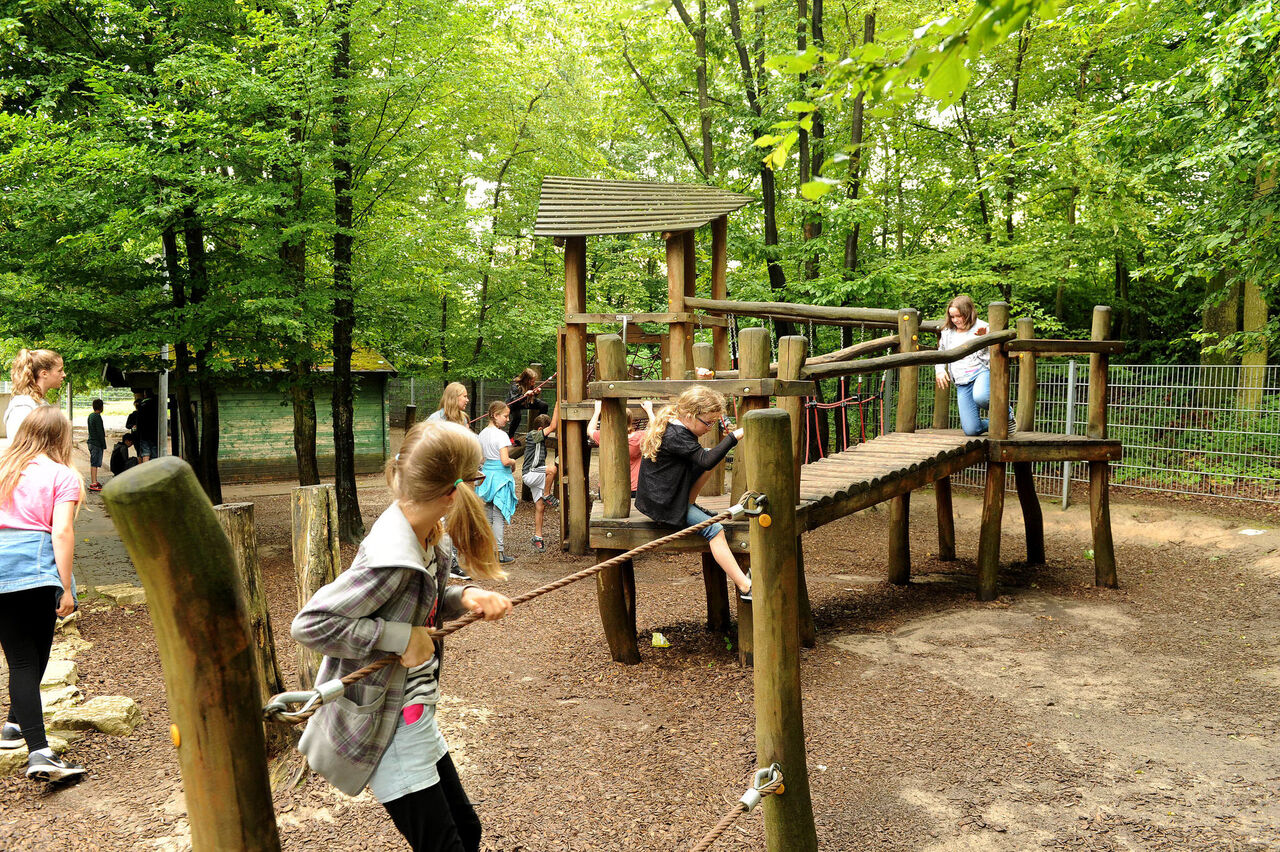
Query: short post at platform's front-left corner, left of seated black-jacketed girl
x,y
618,607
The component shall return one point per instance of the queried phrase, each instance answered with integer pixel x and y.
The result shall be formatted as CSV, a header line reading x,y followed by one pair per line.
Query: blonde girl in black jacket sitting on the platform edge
x,y
675,468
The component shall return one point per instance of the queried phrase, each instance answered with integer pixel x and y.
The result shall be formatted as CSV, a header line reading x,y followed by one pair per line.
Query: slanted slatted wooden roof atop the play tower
x,y
586,208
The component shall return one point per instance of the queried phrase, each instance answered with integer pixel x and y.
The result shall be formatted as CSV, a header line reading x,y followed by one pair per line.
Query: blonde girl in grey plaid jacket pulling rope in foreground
x,y
383,734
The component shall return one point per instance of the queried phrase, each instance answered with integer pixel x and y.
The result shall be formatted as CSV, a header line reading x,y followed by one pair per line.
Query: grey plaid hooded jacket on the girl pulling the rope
x,y
362,617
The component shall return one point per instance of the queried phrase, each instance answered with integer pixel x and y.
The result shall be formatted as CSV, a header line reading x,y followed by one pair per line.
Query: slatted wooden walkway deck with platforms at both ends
x,y
866,475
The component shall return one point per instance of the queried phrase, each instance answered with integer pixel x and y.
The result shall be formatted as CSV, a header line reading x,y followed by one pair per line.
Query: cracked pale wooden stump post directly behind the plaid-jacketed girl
x,y
317,558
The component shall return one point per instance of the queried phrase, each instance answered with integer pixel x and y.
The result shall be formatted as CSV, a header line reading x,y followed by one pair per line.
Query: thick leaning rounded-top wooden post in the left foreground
x,y
208,654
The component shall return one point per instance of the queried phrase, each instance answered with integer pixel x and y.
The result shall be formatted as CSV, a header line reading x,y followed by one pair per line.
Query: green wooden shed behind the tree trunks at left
x,y
257,419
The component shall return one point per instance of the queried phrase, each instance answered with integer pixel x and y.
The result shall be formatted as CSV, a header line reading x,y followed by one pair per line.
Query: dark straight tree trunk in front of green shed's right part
x,y
351,526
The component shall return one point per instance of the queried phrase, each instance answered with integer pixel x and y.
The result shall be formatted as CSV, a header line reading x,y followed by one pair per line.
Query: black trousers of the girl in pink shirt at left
x,y
28,621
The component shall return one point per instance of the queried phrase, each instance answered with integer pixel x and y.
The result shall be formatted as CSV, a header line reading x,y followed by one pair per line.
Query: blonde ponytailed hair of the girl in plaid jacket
x,y
432,460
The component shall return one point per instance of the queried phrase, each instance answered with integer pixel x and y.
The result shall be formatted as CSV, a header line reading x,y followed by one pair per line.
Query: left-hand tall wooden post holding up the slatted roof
x,y
574,378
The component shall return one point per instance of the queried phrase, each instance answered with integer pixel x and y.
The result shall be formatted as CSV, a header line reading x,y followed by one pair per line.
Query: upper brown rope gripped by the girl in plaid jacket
x,y
277,709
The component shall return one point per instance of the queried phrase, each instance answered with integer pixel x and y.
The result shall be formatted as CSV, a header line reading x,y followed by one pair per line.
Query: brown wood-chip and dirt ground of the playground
x,y
1059,717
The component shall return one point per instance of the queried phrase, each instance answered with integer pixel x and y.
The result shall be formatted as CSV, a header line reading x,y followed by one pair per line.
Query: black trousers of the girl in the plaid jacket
x,y
438,819
